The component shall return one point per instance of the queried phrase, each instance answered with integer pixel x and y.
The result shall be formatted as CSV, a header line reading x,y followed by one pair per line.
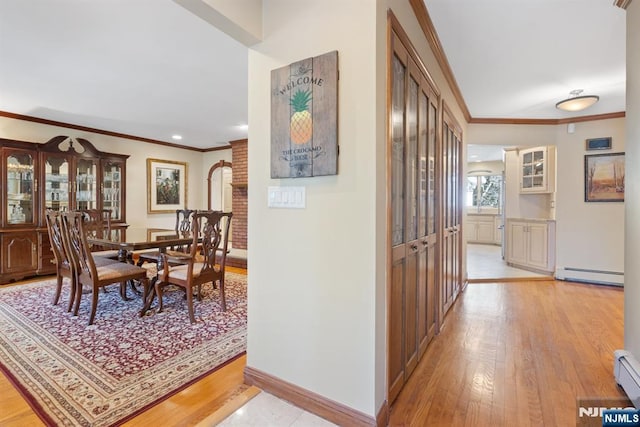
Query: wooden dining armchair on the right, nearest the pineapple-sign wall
x,y
205,262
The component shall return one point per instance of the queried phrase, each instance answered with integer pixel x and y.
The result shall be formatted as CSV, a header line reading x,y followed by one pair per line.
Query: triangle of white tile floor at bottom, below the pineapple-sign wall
x,y
266,410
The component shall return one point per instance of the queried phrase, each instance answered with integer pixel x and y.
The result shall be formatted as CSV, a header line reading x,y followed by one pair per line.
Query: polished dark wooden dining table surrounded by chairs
x,y
128,240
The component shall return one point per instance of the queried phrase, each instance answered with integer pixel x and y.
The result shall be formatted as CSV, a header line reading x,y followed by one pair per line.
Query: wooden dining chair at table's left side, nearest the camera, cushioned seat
x,y
91,274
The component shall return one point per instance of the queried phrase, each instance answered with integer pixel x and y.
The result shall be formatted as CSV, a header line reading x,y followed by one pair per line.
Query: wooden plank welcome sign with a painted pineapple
x,y
304,118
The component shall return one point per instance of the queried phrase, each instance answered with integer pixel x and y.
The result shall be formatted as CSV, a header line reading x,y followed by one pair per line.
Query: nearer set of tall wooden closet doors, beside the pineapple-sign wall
x,y
412,215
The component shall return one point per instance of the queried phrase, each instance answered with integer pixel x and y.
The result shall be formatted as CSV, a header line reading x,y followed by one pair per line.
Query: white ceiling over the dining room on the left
x,y
148,68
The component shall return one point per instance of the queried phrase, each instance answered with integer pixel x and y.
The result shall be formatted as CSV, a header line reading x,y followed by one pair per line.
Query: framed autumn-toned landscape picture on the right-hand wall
x,y
604,177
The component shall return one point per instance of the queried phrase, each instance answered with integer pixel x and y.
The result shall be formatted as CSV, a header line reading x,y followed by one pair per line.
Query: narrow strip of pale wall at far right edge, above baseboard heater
x,y
632,194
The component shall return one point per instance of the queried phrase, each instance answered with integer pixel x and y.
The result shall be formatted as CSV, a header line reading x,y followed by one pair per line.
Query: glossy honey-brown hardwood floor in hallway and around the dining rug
x,y
508,354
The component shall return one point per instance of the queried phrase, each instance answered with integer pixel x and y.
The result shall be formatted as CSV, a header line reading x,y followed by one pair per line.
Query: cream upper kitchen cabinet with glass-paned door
x,y
537,170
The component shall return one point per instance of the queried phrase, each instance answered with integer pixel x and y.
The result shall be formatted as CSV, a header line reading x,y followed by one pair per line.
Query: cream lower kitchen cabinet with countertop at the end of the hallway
x,y
530,244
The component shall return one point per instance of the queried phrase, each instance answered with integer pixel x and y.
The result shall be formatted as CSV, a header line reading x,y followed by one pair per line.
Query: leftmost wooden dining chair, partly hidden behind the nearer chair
x,y
63,264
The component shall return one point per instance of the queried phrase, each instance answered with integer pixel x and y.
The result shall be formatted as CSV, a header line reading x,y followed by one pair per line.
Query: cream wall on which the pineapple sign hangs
x,y
312,293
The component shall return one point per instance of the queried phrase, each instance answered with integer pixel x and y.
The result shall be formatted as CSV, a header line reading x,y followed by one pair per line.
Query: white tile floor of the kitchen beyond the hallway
x,y
485,262
